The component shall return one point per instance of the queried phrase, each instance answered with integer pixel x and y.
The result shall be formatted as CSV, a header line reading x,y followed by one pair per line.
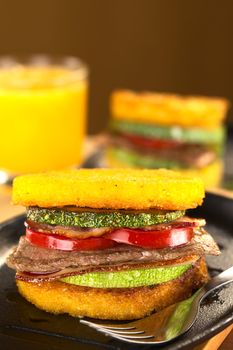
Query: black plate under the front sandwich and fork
x,y
22,325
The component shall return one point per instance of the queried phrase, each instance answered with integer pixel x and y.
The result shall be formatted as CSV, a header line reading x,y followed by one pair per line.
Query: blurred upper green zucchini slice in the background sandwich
x,y
175,133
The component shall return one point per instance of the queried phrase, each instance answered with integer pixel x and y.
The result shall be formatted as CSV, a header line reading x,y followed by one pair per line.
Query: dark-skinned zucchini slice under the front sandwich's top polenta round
x,y
92,219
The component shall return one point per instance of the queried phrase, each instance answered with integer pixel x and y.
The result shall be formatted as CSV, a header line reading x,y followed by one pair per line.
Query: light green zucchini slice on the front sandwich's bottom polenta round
x,y
129,278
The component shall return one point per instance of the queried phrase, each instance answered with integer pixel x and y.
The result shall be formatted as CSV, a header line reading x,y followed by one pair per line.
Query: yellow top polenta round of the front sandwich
x,y
109,188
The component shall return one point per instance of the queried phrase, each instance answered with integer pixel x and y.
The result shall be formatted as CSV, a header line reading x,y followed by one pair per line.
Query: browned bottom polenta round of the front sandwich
x,y
116,304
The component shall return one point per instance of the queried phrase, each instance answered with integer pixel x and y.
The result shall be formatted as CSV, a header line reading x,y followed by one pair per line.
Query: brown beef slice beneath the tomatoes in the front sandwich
x,y
28,257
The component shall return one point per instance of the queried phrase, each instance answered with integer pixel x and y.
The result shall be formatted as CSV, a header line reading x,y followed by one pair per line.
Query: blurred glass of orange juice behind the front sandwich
x,y
43,104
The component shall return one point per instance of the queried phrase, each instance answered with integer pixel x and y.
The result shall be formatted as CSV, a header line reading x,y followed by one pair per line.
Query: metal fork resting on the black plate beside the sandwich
x,y
166,325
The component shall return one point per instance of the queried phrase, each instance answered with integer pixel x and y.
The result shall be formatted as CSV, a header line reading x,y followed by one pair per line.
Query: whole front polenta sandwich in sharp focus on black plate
x,y
110,244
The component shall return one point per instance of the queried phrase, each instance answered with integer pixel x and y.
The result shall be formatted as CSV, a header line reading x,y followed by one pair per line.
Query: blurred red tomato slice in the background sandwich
x,y
151,143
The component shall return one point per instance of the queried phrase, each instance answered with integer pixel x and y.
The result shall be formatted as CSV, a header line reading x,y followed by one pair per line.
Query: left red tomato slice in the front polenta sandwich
x,y
54,241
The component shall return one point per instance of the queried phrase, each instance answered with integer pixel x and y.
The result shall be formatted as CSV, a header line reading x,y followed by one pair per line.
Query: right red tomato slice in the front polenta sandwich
x,y
169,236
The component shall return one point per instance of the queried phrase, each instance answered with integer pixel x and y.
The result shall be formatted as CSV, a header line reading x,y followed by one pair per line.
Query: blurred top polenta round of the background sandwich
x,y
168,109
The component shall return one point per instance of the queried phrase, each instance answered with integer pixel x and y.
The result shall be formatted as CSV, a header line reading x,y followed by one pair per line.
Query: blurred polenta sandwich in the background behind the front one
x,y
152,130
